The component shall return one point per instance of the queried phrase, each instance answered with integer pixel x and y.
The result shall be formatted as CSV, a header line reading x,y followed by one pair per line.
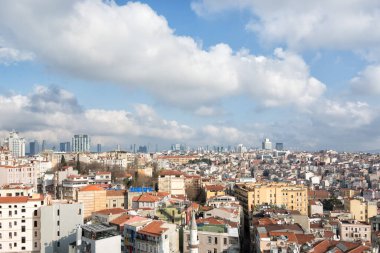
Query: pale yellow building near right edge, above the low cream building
x,y
361,209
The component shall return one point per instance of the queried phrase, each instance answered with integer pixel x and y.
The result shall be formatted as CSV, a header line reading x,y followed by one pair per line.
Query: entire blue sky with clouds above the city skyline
x,y
200,72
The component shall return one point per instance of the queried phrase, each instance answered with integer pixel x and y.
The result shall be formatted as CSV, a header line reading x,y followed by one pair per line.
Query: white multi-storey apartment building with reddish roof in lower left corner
x,y
20,224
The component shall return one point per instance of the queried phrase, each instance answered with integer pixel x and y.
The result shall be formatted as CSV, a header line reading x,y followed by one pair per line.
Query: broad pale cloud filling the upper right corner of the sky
x,y
351,25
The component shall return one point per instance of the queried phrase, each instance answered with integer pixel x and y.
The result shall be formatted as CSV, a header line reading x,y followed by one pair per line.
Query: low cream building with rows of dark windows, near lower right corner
x,y
352,230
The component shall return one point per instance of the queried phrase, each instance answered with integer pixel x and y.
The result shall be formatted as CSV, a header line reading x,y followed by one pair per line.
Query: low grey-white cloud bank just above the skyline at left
x,y
59,120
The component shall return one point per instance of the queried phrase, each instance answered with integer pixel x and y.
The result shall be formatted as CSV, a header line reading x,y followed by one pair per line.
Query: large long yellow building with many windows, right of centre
x,y
289,196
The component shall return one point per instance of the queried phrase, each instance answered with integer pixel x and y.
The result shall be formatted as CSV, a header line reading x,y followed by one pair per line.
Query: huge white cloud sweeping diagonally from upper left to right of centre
x,y
132,45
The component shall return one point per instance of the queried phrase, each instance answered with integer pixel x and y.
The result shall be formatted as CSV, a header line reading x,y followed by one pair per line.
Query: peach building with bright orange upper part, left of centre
x,y
94,198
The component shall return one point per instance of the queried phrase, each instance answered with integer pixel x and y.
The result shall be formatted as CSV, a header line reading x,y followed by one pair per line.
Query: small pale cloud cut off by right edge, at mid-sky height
x,y
367,82
